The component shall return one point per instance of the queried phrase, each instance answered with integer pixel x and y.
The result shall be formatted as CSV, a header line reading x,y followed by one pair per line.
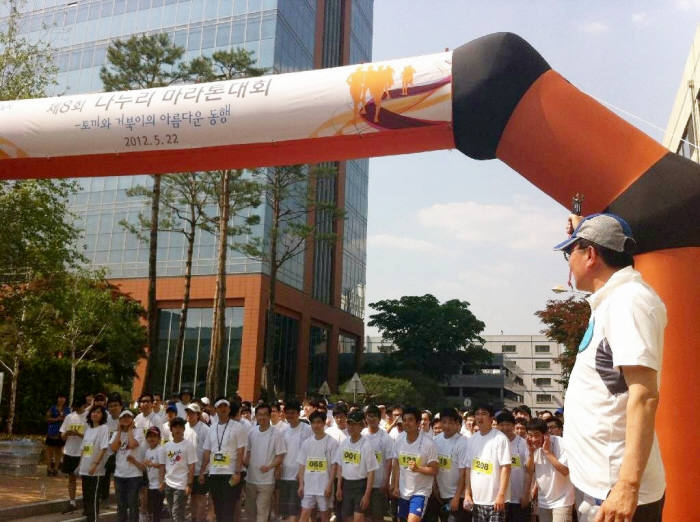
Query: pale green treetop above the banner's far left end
x,y
26,69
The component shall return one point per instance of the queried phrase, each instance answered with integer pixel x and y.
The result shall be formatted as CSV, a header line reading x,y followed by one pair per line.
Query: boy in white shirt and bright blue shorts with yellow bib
x,y
414,469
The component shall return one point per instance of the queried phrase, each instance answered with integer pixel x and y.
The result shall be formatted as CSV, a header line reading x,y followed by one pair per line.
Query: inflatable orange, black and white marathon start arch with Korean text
x,y
494,97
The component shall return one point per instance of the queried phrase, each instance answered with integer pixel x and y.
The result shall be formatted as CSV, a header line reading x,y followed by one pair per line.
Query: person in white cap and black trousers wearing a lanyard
x,y
222,459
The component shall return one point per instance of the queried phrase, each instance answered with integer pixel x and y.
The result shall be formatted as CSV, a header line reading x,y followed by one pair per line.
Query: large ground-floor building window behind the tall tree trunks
x,y
195,353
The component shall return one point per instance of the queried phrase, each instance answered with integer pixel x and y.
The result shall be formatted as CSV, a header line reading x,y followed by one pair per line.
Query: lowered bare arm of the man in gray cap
x,y
642,402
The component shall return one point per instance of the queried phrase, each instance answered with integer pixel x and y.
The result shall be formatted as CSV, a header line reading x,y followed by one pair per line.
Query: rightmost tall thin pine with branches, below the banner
x,y
290,193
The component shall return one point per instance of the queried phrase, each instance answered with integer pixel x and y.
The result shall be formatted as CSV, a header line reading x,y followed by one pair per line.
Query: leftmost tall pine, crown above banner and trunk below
x,y
145,62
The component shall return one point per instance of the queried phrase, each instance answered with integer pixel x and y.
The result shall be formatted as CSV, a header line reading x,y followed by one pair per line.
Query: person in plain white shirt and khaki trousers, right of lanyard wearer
x,y
265,451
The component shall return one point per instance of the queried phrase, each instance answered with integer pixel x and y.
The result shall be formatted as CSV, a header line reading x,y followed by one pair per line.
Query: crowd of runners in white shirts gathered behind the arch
x,y
201,460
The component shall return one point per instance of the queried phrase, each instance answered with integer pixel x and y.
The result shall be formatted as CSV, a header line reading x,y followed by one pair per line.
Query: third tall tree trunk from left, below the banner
x,y
219,323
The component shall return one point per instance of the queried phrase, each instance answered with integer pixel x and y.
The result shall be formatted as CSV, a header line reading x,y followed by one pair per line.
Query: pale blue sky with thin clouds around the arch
x,y
458,228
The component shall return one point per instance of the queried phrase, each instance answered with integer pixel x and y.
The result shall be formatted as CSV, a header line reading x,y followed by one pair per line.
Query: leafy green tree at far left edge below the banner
x,y
37,245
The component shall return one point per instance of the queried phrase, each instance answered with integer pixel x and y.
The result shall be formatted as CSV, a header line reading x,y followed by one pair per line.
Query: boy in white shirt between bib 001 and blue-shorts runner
x,y
383,447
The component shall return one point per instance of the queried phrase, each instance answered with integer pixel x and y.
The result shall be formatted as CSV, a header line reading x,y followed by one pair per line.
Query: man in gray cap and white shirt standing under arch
x,y
611,401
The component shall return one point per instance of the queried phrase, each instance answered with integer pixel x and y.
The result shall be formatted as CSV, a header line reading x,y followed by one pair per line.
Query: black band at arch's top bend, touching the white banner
x,y
489,77
